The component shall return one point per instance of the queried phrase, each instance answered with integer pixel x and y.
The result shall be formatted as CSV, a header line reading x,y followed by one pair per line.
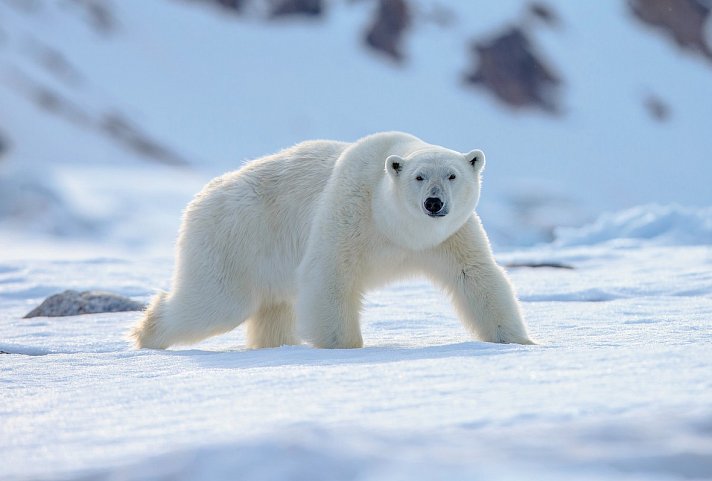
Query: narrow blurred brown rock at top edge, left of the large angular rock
x,y
386,32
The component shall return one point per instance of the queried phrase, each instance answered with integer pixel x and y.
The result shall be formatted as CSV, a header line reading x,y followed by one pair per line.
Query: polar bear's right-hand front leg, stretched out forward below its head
x,y
481,292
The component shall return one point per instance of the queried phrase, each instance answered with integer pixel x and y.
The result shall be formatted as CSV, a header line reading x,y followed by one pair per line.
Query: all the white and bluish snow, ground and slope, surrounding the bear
x,y
618,387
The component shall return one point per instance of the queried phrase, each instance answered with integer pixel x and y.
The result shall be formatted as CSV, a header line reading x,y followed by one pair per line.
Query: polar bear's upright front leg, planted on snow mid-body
x,y
328,307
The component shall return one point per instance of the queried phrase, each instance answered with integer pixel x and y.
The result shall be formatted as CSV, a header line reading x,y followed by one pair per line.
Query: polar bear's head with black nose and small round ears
x,y
437,189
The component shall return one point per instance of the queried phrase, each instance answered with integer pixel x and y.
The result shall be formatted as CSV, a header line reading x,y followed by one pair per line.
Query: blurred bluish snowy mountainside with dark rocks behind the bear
x,y
113,113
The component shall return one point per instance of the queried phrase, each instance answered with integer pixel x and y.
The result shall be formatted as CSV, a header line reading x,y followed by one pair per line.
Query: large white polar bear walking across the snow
x,y
290,242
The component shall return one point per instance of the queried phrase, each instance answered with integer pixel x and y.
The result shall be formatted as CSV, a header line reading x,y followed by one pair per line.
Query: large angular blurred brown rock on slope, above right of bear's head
x,y
509,67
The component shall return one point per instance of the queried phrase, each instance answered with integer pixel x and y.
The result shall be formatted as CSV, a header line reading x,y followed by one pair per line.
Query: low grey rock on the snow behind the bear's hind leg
x,y
72,303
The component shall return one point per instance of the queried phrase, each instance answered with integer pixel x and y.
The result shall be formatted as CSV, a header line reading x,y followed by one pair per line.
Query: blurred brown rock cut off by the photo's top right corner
x,y
683,20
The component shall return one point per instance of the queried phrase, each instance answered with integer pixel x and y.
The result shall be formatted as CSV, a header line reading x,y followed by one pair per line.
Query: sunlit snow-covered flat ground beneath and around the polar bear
x,y
618,388
